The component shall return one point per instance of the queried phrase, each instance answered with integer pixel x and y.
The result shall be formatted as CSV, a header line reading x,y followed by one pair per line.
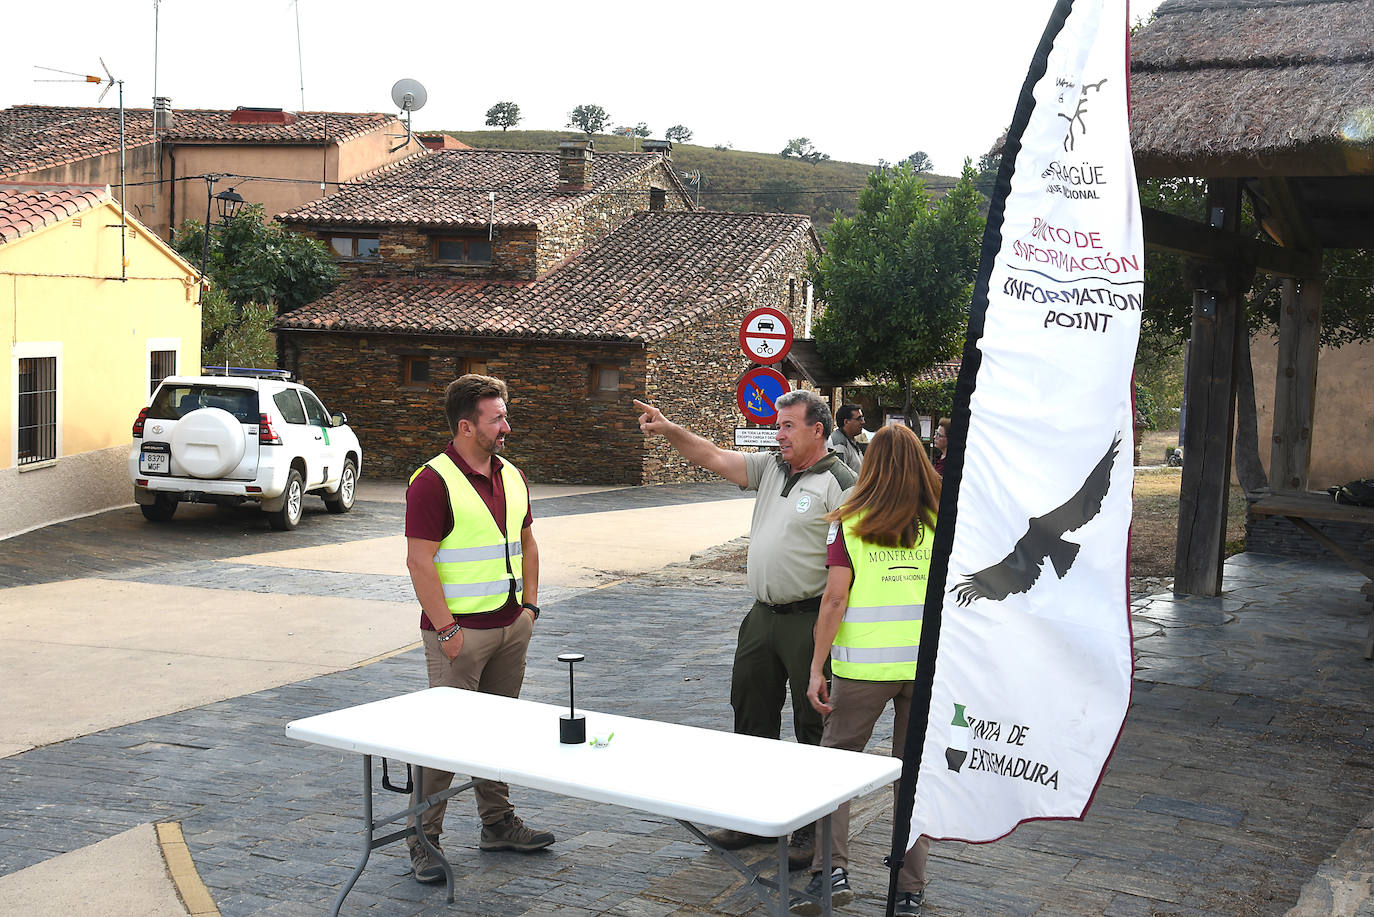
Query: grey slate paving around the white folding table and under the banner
x,y
1247,761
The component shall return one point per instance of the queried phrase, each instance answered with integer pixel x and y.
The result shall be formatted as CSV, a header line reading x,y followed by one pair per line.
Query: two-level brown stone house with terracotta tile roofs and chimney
x,y
596,294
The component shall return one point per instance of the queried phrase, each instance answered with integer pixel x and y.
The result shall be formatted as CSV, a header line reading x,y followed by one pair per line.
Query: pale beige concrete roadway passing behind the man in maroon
x,y
183,636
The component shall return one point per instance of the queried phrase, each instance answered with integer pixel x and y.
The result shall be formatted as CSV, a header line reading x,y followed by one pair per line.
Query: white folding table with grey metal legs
x,y
696,776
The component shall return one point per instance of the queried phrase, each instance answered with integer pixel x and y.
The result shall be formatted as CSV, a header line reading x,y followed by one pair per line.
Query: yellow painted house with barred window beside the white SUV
x,y
94,322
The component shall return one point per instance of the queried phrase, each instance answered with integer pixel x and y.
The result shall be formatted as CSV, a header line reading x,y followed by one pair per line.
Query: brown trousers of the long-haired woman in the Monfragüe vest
x,y
857,710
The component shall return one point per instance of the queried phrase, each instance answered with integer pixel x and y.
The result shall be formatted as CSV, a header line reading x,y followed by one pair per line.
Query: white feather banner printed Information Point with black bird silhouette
x,y
1033,674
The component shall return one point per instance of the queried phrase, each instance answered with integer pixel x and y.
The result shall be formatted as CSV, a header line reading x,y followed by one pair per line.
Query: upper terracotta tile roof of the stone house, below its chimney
x,y
451,188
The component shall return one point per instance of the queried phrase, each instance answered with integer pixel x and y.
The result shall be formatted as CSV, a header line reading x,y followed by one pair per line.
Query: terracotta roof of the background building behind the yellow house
x,y
36,137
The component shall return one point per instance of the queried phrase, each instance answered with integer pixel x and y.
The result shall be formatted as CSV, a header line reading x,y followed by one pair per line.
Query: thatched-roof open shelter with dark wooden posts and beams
x,y
1270,101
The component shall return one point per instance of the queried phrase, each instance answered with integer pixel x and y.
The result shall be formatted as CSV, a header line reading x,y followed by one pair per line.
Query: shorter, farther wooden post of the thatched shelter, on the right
x,y
1295,387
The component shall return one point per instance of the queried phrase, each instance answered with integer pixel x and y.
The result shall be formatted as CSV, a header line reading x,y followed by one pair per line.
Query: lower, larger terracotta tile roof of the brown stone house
x,y
655,274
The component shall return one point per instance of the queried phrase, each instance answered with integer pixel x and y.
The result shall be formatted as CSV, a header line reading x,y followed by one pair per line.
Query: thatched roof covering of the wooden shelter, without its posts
x,y
1255,87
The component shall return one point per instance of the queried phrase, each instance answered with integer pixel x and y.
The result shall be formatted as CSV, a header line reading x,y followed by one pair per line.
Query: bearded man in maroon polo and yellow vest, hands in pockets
x,y
479,610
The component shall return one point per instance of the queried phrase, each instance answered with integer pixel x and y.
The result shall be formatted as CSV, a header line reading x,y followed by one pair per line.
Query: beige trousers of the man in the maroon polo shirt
x,y
491,662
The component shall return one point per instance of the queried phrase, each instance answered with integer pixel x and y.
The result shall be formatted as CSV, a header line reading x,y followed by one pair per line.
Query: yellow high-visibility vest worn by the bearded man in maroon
x,y
476,563
